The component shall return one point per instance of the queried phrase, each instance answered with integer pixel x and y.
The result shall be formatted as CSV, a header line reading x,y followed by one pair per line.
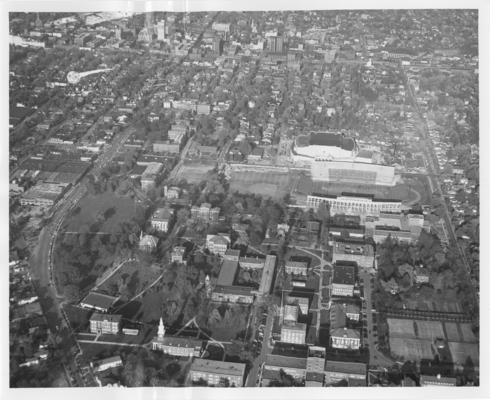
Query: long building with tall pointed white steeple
x,y
176,346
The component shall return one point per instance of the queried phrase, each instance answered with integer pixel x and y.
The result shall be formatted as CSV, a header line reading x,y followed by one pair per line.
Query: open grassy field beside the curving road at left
x,y
91,207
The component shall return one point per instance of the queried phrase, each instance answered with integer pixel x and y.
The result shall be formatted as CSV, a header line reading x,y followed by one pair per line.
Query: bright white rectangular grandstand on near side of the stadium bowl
x,y
353,172
